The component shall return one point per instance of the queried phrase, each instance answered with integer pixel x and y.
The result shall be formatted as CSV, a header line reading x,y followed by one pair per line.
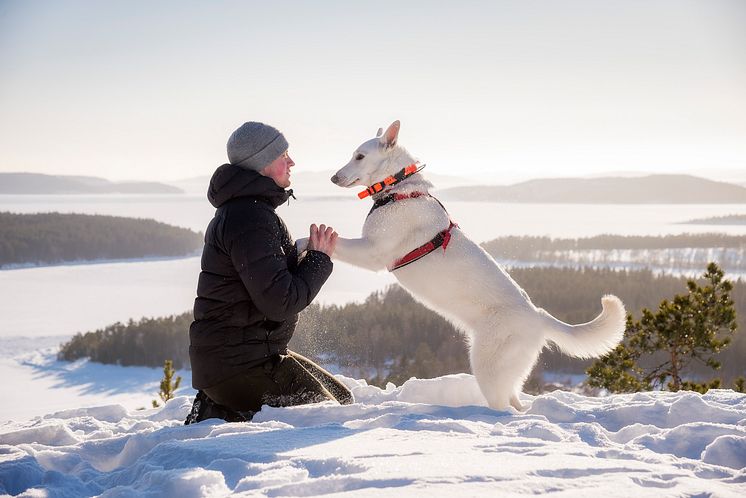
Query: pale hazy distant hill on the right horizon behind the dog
x,y
653,189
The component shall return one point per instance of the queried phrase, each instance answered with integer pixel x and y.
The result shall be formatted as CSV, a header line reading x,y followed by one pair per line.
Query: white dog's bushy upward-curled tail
x,y
592,339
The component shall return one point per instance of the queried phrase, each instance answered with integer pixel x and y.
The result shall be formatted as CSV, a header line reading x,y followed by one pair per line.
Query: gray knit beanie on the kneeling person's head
x,y
254,145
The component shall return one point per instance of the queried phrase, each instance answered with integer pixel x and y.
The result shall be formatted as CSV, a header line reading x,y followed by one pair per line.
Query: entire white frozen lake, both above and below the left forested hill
x,y
63,300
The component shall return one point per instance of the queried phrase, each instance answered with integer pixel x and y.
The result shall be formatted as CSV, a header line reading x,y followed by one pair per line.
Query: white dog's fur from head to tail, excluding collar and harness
x,y
464,284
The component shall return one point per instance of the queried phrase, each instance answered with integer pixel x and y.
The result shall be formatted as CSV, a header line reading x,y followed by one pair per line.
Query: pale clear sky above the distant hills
x,y
151,90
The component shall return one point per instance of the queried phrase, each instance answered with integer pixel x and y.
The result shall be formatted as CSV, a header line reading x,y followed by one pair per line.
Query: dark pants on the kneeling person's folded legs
x,y
284,380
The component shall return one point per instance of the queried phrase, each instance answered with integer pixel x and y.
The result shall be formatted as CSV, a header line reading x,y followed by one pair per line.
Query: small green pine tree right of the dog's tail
x,y
694,326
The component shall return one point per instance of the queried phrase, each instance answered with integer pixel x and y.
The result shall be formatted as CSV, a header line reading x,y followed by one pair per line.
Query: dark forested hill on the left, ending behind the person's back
x,y
54,238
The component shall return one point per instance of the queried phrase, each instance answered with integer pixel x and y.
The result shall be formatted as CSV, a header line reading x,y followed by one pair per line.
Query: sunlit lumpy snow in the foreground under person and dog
x,y
433,437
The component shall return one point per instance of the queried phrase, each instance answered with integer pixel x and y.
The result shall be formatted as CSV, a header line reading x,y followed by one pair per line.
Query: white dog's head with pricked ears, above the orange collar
x,y
374,160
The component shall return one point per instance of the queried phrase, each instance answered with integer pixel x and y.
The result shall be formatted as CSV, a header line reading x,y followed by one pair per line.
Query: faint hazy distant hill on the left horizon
x,y
35,183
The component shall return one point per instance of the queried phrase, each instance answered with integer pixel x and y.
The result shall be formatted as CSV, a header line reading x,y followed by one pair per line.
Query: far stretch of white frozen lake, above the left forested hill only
x,y
482,220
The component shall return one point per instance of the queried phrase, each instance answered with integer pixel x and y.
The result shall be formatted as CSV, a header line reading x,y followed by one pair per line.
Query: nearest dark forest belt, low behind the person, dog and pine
x,y
390,337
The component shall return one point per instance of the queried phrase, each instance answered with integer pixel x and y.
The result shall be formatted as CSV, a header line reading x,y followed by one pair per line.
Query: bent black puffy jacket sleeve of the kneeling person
x,y
261,263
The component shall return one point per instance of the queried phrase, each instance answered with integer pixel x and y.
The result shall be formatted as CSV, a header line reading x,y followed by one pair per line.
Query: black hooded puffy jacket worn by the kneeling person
x,y
252,286
